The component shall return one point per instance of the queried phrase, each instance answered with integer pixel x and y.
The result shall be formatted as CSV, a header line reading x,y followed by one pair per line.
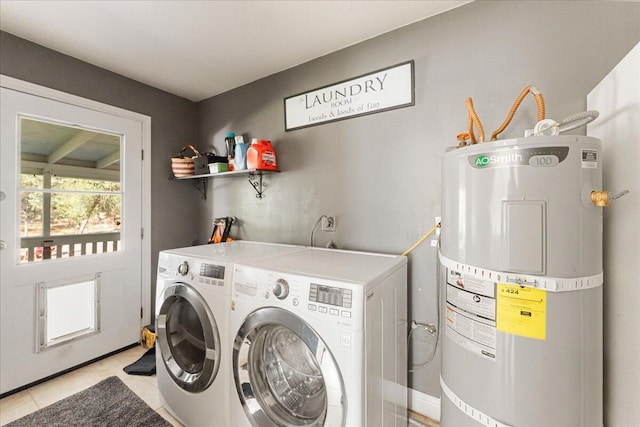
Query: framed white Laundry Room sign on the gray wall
x,y
382,90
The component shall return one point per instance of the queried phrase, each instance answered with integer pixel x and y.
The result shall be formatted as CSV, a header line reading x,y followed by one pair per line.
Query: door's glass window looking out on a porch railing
x,y
70,191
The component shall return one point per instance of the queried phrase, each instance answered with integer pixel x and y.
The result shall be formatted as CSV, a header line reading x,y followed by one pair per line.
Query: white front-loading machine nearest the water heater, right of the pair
x,y
320,339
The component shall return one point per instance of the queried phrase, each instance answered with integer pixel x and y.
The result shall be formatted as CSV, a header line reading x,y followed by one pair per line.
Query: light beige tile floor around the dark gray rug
x,y
41,395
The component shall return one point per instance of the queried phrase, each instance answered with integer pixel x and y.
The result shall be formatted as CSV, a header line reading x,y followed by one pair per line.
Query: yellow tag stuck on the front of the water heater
x,y
521,310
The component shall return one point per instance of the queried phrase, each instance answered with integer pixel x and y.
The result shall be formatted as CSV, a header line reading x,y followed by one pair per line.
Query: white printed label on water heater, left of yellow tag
x,y
471,313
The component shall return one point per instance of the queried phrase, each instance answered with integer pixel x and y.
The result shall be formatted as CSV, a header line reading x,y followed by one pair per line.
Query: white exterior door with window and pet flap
x,y
70,230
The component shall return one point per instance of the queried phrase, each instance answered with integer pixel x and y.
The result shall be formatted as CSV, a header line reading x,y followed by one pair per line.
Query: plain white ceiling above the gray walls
x,y
198,49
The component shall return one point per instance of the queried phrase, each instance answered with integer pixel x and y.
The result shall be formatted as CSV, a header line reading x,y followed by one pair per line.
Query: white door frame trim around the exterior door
x,y
145,121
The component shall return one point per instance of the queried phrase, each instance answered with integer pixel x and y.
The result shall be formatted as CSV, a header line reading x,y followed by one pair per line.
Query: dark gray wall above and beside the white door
x,y
174,207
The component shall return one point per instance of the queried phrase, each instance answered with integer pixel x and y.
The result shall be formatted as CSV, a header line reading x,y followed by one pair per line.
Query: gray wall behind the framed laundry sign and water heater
x,y
380,174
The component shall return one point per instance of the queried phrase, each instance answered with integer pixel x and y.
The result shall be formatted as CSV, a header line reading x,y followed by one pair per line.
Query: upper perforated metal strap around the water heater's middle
x,y
553,284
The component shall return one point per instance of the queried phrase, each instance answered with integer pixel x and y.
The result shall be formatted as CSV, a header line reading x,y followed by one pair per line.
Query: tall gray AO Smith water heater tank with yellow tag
x,y
521,250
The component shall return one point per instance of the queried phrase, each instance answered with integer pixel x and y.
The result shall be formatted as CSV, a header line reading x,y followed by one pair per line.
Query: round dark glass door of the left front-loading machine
x,y
188,338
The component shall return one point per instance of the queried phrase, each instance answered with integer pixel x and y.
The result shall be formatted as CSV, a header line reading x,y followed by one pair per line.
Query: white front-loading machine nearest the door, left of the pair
x,y
192,324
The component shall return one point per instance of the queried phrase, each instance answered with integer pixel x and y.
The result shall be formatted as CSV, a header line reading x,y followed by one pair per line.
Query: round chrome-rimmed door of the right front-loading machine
x,y
285,374
